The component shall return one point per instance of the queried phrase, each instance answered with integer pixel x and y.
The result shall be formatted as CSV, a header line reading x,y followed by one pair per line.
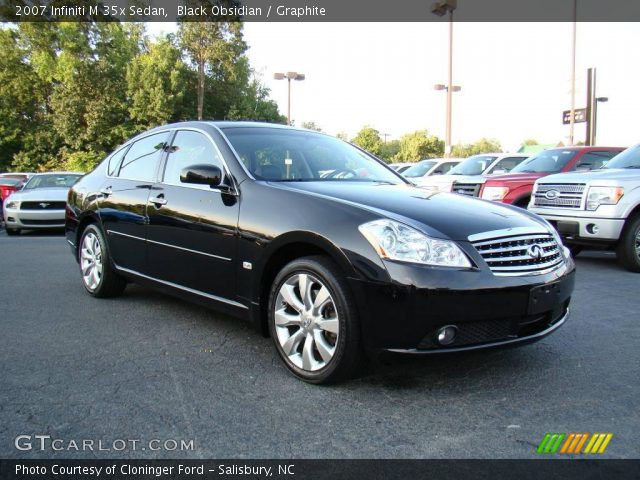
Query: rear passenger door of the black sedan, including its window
x,y
123,208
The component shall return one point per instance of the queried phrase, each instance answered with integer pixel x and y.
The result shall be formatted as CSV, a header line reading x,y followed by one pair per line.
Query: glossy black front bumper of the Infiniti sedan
x,y
487,311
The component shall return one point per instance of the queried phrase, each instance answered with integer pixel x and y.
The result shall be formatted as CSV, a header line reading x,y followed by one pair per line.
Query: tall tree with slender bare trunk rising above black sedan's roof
x,y
214,48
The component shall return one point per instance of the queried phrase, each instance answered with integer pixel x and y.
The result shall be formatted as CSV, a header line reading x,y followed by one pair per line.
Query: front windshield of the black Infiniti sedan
x,y
282,155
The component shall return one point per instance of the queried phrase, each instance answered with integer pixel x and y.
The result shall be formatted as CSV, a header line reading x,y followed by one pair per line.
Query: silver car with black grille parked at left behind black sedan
x,y
41,202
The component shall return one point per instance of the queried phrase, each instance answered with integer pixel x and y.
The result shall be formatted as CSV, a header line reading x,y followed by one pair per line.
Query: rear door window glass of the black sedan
x,y
142,159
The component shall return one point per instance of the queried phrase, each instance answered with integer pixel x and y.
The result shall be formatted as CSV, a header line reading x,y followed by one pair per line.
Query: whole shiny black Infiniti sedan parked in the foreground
x,y
322,246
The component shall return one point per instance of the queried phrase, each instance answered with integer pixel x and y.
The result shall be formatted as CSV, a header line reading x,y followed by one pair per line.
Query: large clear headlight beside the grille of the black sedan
x,y
395,241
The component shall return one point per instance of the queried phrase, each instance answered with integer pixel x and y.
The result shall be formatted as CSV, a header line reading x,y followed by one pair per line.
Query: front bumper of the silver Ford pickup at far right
x,y
582,228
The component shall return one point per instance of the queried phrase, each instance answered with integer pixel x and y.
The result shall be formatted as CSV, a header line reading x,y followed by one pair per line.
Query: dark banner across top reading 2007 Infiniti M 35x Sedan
x,y
321,10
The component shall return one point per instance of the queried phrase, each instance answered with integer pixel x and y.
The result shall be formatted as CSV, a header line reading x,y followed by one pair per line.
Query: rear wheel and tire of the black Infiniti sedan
x,y
98,276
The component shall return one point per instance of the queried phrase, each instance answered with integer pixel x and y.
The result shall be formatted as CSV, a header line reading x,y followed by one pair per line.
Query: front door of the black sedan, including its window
x,y
192,238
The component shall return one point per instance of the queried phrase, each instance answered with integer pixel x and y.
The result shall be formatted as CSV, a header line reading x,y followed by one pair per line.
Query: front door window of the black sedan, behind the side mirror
x,y
189,148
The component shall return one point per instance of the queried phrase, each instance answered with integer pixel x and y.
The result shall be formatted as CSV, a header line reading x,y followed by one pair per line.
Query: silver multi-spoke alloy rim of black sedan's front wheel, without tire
x,y
306,322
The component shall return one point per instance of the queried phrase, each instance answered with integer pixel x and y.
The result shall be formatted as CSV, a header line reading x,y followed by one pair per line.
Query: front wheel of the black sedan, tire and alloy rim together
x,y
313,322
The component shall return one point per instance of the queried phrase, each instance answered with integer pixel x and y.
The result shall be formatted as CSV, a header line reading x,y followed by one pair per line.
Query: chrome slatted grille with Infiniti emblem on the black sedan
x,y
528,254
